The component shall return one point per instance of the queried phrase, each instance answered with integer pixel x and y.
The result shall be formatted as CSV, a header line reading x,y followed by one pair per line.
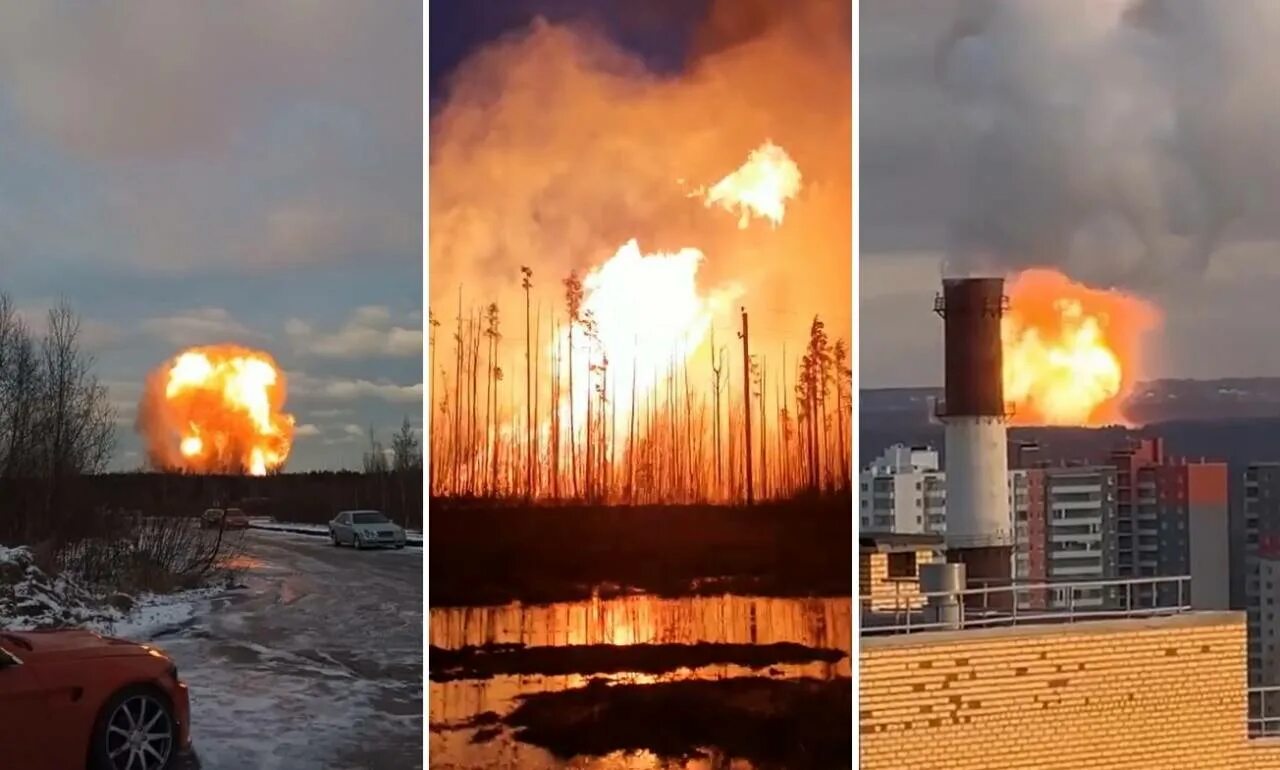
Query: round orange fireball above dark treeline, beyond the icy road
x,y
217,410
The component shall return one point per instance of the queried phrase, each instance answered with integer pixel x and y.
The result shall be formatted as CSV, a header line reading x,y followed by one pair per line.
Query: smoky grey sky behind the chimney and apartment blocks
x,y
1215,65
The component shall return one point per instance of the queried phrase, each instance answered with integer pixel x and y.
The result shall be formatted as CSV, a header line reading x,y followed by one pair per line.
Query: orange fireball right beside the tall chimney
x,y
1072,354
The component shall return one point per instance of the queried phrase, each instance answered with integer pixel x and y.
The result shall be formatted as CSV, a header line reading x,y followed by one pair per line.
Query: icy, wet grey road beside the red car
x,y
318,664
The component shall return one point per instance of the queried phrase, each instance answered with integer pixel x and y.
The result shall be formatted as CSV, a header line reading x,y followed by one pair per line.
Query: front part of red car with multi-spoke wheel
x,y
70,696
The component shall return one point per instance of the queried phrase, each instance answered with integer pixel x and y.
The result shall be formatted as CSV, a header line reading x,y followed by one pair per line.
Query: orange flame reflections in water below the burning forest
x,y
629,621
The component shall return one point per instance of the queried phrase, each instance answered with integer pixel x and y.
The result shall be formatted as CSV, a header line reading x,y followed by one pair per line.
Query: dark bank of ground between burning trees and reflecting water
x,y
490,553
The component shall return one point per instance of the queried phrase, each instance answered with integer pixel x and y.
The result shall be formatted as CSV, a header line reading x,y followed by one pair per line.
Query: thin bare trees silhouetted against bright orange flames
x,y
500,423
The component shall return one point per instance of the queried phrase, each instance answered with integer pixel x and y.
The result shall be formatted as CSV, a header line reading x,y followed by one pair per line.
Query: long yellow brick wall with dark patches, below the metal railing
x,y
1163,693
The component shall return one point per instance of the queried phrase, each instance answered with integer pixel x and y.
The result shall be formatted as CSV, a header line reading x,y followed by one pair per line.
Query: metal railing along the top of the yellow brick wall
x,y
909,611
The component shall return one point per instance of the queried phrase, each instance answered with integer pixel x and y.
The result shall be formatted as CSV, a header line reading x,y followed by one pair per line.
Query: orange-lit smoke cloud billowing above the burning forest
x,y
556,148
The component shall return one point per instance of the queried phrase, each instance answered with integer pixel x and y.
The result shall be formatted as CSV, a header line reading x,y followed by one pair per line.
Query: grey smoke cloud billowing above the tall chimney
x,y
1119,140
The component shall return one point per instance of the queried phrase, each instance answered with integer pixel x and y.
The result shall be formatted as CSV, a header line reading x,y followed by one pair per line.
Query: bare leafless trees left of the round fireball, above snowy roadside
x,y
57,421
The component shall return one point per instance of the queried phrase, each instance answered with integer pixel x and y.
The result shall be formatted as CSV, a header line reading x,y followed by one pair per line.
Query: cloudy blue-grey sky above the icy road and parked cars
x,y
191,173
